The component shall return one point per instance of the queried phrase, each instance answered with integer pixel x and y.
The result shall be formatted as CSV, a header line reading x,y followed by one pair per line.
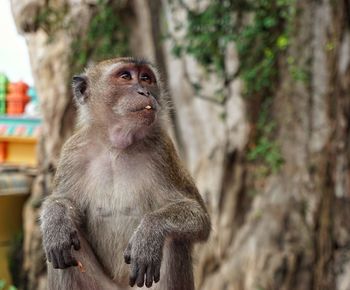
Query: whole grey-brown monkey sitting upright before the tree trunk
x,y
124,211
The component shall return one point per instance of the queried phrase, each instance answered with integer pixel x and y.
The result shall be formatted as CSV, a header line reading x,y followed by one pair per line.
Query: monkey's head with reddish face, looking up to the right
x,y
120,97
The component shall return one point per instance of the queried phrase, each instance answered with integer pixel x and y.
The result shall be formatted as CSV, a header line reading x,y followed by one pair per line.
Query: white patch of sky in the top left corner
x,y
14,58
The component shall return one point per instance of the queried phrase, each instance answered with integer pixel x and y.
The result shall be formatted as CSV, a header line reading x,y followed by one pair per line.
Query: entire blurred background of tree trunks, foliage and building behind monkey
x,y
261,98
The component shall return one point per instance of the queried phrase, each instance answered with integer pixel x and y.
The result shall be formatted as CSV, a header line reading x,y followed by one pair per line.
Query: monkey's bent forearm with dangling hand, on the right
x,y
183,220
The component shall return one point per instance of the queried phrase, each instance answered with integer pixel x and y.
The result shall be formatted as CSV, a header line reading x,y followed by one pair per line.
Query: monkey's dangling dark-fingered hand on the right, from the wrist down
x,y
144,254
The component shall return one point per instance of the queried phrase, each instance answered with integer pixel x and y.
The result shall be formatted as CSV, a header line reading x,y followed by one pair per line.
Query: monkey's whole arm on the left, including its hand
x,y
61,214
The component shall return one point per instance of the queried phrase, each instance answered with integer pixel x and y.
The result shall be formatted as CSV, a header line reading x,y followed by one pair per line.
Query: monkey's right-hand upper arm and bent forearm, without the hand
x,y
185,217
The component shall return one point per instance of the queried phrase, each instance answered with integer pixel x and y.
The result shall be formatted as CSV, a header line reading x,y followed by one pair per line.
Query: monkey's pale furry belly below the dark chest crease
x,y
112,232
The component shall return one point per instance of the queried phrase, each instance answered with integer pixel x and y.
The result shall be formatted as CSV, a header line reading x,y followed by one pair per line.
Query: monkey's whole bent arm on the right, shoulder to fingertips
x,y
184,219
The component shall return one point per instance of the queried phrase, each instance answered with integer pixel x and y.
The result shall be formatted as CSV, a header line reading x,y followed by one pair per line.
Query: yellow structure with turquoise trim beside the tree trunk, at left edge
x,y
17,149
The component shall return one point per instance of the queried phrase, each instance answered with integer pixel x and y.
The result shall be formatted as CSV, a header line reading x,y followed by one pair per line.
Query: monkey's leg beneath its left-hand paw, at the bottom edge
x,y
88,277
